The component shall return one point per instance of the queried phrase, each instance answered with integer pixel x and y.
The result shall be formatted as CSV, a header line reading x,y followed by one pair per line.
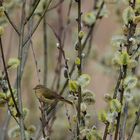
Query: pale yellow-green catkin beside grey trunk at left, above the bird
x,y
13,63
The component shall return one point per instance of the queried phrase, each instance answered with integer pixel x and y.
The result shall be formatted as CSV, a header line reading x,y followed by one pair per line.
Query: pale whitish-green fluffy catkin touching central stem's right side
x,y
83,80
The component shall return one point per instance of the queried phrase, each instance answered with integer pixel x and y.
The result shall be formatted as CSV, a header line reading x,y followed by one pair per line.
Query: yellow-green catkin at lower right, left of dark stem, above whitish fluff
x,y
115,105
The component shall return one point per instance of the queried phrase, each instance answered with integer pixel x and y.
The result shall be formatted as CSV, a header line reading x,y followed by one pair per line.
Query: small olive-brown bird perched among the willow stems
x,y
45,94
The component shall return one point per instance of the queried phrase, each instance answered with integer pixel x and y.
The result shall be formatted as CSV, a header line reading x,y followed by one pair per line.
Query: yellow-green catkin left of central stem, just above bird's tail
x,y
73,86
